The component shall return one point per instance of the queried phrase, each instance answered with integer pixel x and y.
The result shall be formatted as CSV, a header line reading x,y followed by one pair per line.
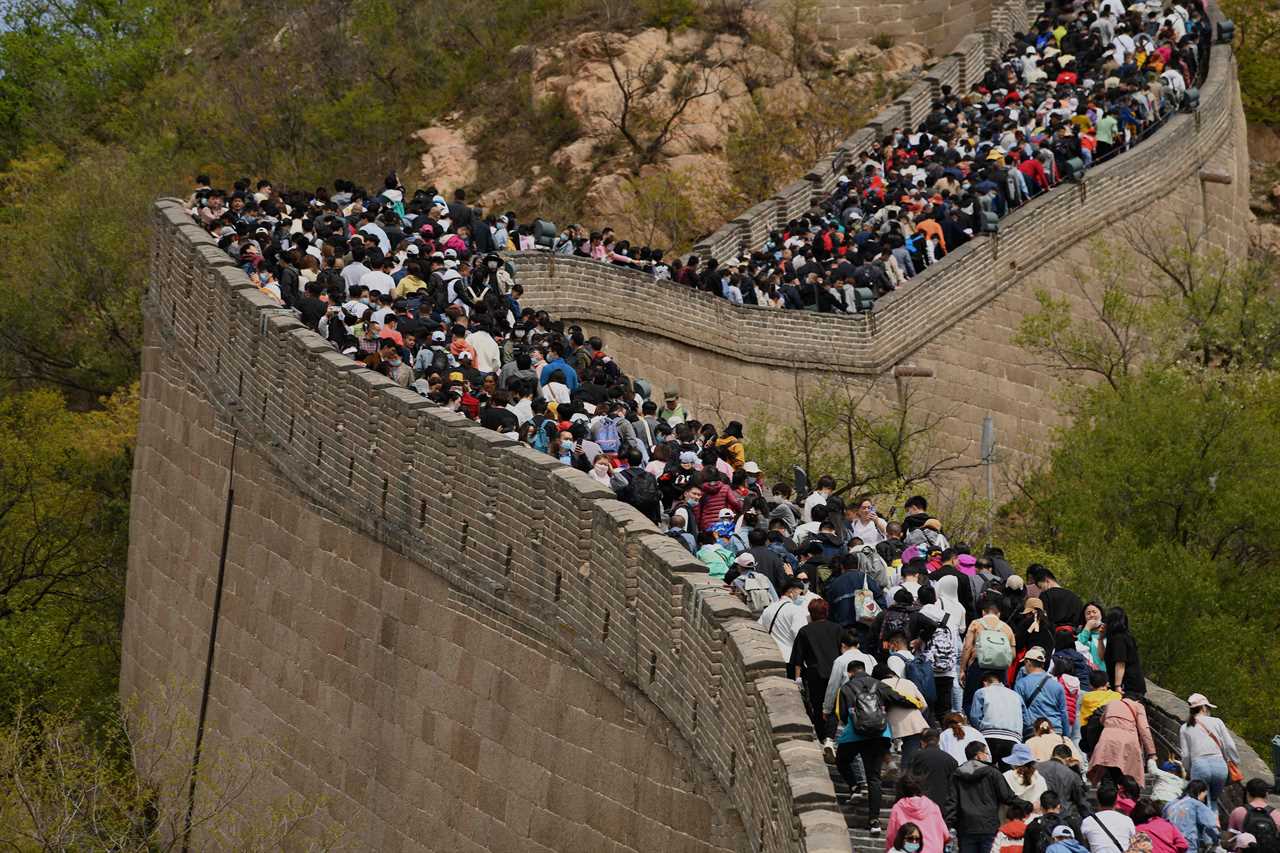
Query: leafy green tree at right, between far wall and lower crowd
x,y
1158,498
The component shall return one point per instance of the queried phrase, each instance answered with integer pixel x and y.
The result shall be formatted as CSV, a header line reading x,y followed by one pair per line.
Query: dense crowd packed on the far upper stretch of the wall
x,y
1090,80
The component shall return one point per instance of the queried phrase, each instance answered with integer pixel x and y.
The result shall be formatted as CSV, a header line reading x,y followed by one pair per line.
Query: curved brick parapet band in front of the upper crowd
x,y
907,320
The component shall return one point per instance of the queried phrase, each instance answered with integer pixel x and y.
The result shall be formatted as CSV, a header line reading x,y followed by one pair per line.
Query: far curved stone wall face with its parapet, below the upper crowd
x,y
958,320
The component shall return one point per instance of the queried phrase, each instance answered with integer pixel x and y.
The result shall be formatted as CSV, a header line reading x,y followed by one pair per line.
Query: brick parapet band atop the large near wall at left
x,y
511,528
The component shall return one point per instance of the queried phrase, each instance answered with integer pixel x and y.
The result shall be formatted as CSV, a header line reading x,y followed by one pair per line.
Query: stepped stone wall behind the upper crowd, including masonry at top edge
x,y
972,31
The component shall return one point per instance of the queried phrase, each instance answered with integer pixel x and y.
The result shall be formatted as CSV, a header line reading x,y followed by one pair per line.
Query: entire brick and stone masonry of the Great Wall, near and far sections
x,y
461,645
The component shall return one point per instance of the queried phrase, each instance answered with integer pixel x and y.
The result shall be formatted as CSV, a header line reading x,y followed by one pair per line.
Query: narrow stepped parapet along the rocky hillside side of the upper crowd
x,y
959,70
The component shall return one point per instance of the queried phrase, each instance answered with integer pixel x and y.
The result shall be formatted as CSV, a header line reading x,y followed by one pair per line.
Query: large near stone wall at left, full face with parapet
x,y
455,642
